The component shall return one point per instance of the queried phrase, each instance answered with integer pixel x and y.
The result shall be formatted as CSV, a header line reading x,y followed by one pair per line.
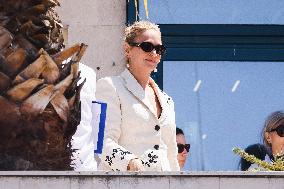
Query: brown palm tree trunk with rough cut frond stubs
x,y
39,89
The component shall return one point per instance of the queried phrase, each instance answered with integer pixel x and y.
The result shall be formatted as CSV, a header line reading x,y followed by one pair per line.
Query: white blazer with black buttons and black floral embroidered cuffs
x,y
132,127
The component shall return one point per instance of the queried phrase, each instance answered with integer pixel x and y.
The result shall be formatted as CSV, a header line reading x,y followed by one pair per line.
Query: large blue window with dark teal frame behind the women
x,y
223,72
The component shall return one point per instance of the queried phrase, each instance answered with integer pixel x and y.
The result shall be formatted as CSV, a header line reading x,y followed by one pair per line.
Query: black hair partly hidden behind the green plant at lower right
x,y
258,150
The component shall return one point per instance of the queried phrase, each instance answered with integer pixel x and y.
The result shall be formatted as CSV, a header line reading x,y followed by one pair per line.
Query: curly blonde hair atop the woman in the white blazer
x,y
137,28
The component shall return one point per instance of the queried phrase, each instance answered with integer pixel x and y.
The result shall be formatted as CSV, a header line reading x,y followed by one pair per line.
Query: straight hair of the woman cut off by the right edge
x,y
272,121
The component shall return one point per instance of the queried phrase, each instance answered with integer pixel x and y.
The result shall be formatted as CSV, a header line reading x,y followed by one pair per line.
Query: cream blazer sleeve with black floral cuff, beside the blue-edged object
x,y
113,155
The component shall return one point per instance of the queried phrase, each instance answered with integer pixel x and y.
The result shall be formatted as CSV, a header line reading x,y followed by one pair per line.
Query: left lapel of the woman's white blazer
x,y
136,89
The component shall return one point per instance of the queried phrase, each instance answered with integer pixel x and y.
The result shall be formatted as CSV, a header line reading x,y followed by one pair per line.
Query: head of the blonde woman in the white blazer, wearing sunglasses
x,y
143,46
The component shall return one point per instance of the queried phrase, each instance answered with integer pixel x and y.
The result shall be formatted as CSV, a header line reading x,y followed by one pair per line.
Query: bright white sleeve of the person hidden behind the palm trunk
x,y
82,140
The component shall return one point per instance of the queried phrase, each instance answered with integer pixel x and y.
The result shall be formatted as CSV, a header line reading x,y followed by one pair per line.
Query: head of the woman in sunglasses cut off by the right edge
x,y
273,132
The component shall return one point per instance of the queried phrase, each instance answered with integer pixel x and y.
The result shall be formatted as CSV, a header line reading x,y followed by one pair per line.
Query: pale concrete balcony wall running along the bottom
x,y
149,180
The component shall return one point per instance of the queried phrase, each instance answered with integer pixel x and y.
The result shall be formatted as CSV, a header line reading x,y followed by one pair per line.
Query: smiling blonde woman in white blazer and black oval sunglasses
x,y
140,124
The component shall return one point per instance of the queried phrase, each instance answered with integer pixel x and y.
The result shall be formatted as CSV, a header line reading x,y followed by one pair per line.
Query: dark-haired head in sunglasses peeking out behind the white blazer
x,y
183,148
